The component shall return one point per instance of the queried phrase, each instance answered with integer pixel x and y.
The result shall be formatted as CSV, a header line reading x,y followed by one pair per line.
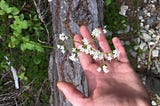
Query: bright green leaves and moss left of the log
x,y
20,32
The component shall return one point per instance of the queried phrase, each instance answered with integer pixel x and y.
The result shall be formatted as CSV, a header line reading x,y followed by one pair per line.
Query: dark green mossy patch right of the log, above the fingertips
x,y
113,19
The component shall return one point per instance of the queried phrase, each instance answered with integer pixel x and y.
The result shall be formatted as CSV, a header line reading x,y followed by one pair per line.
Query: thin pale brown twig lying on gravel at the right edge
x,y
150,52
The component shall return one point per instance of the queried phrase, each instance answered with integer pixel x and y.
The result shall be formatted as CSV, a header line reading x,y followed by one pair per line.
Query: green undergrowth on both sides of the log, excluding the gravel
x,y
24,34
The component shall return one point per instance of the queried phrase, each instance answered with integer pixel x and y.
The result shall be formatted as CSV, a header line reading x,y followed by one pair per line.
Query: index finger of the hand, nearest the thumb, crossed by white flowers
x,y
85,59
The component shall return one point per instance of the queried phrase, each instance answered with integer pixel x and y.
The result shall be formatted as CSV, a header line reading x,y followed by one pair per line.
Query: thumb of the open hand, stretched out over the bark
x,y
71,93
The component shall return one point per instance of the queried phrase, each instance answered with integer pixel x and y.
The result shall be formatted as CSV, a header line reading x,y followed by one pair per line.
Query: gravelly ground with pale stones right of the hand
x,y
145,53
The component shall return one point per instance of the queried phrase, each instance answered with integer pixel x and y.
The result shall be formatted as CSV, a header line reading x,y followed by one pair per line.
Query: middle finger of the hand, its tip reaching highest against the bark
x,y
86,34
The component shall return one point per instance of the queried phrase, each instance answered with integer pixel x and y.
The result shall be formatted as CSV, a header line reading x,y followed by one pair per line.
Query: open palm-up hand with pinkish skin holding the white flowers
x,y
119,87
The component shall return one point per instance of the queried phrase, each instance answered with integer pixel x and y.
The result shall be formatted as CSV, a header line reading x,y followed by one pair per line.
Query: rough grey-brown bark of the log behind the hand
x,y
67,16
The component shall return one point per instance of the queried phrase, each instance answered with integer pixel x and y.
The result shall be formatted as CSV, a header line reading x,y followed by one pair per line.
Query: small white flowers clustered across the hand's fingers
x,y
88,49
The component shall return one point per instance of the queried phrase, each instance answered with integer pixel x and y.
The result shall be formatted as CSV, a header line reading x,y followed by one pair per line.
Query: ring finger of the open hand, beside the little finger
x,y
103,43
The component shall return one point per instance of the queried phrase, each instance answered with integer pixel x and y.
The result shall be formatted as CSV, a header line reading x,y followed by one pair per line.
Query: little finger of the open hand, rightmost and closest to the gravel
x,y
118,45
